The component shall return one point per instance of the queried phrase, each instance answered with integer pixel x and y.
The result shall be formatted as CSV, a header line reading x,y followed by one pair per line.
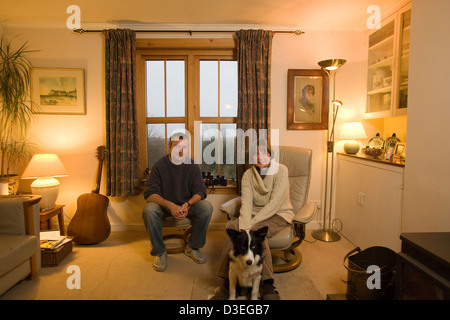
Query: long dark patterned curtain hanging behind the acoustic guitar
x,y
122,145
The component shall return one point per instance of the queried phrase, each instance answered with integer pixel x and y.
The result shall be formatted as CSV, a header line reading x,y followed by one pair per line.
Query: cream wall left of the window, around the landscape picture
x,y
73,137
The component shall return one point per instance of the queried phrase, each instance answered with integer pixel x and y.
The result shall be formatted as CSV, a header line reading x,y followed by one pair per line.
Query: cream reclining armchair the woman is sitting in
x,y
298,162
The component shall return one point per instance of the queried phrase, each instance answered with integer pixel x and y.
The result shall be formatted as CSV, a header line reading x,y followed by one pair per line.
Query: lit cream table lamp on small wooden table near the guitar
x,y
44,168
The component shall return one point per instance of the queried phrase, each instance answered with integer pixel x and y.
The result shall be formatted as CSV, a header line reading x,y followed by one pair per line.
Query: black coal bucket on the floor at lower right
x,y
384,260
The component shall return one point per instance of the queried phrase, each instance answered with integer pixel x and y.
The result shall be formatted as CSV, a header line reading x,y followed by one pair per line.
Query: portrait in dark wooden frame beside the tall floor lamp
x,y
307,100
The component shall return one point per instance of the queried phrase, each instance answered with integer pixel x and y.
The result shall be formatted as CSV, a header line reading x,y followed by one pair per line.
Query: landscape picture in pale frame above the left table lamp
x,y
57,91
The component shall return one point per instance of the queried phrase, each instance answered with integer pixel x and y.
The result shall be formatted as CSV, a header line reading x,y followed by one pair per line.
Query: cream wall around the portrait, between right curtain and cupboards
x,y
304,52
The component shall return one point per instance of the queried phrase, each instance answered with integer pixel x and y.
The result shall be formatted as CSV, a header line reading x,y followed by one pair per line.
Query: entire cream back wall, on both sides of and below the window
x,y
75,138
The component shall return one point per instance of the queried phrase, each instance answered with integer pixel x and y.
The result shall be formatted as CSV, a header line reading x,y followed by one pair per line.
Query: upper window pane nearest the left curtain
x,y
155,88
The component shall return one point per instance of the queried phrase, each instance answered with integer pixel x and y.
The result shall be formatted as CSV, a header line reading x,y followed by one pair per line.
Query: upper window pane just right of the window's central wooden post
x,y
209,95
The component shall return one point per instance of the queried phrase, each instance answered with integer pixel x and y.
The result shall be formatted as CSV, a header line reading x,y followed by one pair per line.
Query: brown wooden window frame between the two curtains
x,y
192,51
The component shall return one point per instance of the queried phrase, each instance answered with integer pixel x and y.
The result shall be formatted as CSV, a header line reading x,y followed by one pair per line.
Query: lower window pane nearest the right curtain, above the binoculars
x,y
228,142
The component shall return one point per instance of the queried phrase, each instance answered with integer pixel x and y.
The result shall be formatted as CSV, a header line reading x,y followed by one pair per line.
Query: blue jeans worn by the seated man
x,y
200,215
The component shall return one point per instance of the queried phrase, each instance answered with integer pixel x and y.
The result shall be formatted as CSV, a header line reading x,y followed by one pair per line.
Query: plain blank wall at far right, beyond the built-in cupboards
x,y
427,172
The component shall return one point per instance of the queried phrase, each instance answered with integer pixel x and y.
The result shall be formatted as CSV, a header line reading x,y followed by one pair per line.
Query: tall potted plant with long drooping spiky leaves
x,y
15,112
